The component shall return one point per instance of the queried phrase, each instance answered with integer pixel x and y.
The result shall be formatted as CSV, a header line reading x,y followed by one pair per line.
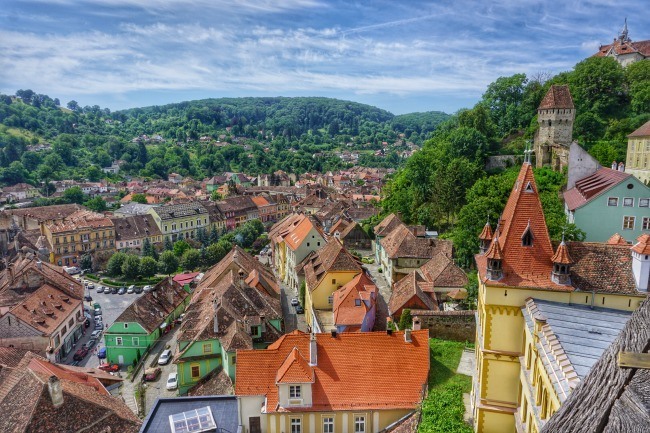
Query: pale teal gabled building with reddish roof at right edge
x,y
608,202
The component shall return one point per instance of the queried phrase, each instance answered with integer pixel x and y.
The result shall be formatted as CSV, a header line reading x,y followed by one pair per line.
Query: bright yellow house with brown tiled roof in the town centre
x,y
326,271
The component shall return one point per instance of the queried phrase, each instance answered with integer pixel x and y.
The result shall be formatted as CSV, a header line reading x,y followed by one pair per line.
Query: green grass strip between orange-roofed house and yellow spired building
x,y
443,409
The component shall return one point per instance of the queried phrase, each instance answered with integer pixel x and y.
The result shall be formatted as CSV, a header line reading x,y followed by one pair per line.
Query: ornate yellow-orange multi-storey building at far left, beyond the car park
x,y
77,234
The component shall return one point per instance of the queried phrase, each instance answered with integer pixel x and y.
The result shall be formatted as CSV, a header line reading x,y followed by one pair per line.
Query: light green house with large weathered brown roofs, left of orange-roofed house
x,y
225,315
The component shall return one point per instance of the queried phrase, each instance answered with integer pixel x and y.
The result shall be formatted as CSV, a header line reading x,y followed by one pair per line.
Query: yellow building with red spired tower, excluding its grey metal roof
x,y
517,264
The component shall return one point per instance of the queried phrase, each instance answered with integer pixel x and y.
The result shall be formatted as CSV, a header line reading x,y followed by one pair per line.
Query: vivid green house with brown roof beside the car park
x,y
144,321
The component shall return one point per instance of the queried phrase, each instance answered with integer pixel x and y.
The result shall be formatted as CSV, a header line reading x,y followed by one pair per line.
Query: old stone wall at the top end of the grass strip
x,y
448,325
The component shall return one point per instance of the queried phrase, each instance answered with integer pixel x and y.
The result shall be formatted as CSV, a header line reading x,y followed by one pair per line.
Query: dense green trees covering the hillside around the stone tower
x,y
445,186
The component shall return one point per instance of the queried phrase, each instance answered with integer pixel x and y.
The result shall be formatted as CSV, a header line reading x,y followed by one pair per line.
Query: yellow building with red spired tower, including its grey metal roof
x,y
546,311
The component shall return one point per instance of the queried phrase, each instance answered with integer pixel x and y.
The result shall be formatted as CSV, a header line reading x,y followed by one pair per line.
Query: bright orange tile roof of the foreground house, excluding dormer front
x,y
355,371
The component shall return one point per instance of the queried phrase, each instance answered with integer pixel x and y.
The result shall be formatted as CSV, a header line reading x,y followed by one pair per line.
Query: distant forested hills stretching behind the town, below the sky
x,y
199,138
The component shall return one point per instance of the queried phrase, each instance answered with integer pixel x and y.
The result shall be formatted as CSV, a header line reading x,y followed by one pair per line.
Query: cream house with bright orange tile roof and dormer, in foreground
x,y
332,383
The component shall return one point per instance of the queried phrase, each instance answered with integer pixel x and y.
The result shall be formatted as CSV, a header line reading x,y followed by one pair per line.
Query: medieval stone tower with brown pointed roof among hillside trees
x,y
555,116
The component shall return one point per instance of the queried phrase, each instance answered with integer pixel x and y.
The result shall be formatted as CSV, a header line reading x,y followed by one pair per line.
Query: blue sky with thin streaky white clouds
x,y
402,56
